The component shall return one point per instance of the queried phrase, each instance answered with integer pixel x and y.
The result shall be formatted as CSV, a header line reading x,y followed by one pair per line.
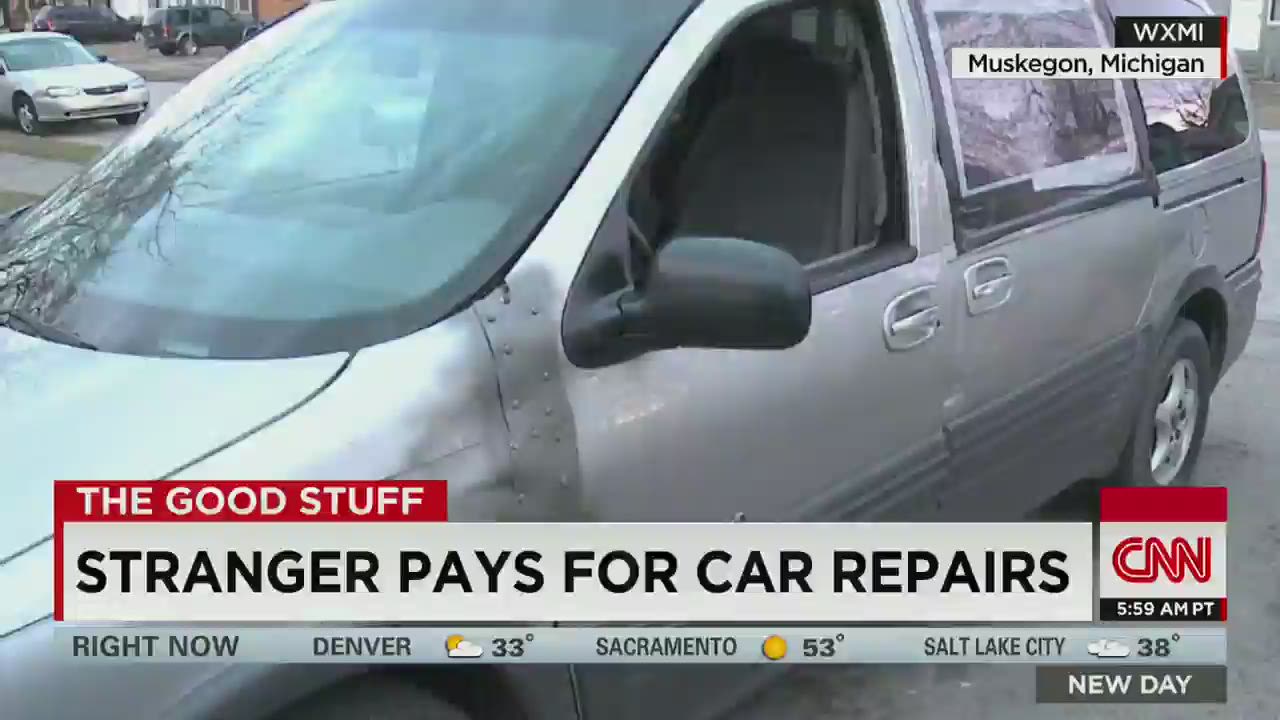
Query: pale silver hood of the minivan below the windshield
x,y
72,414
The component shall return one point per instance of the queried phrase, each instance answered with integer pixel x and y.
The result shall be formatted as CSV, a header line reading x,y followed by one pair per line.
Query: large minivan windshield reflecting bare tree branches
x,y
354,176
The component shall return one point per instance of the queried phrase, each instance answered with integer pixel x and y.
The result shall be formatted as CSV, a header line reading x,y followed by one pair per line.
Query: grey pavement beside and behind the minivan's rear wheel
x,y
1241,453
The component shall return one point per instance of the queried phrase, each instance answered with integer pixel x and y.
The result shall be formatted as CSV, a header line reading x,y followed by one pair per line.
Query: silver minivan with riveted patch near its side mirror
x,y
723,261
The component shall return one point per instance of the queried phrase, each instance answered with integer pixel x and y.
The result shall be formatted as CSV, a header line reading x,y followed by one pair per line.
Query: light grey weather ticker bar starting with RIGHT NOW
x,y
1095,648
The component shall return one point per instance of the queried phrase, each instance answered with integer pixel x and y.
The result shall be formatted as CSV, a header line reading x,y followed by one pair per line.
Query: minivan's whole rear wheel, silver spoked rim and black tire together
x,y
1167,438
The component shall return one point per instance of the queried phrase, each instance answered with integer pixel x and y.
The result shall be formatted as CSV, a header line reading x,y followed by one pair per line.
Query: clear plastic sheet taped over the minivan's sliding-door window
x,y
1055,133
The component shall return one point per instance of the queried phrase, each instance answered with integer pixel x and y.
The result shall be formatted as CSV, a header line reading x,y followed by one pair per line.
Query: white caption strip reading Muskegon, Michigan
x,y
1086,63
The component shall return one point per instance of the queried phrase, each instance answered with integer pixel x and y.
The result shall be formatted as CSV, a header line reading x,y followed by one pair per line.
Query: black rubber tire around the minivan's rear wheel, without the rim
x,y
1185,343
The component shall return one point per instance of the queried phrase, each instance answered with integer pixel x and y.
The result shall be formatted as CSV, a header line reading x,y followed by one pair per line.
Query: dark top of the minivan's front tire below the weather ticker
x,y
372,696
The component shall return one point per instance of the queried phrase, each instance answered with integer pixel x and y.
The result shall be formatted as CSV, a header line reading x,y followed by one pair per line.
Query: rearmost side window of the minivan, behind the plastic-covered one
x,y
1188,120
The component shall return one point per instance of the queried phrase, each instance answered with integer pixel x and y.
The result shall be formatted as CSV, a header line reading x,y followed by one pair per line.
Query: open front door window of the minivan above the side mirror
x,y
789,138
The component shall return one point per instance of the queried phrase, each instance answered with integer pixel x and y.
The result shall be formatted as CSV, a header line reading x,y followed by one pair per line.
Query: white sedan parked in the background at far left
x,y
49,78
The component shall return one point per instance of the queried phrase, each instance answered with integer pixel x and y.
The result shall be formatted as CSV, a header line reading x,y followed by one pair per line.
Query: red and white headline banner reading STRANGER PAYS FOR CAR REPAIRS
x,y
383,553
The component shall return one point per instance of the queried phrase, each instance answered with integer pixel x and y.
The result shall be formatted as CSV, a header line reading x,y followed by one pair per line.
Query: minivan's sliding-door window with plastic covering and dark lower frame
x,y
1023,148
